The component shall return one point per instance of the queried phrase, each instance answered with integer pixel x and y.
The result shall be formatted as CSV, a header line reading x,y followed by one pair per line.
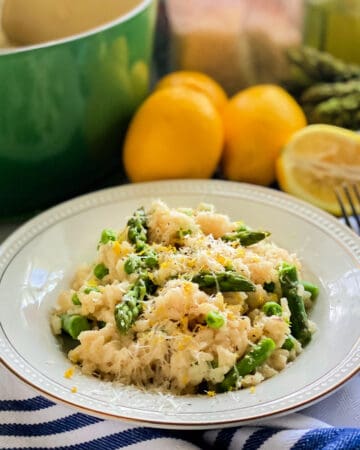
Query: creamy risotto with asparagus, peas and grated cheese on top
x,y
186,301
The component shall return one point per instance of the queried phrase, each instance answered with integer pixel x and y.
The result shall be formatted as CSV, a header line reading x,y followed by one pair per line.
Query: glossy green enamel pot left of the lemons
x,y
65,107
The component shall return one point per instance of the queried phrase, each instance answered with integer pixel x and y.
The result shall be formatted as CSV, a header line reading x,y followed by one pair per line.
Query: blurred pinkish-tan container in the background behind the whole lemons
x,y
237,42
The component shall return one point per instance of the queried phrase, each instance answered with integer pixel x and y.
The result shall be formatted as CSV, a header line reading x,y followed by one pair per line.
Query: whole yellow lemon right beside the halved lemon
x,y
258,122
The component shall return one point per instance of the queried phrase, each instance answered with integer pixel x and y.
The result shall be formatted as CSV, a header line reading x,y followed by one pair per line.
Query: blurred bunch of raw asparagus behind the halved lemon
x,y
327,88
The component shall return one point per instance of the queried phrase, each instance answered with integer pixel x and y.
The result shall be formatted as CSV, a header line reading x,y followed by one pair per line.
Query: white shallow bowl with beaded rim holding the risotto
x,y
39,259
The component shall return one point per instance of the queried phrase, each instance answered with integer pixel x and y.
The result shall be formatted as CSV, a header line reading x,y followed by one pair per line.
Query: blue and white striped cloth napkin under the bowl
x,y
29,421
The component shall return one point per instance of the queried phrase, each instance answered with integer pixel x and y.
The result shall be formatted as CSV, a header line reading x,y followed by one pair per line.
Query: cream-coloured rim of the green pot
x,y
141,6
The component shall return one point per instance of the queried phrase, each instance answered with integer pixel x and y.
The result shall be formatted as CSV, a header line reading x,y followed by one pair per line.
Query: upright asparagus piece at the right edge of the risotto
x,y
289,283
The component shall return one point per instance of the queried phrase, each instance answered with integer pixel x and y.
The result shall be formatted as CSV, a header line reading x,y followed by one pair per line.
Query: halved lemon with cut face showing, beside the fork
x,y
317,159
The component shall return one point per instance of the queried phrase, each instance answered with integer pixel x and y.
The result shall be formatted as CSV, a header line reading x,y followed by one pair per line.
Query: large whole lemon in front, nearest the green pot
x,y
176,133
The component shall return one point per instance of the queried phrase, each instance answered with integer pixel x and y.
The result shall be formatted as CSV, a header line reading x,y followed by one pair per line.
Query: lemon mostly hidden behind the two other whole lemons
x,y
197,81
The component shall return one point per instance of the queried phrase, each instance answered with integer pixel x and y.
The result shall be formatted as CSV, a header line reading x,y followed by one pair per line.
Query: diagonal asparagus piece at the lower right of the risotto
x,y
248,364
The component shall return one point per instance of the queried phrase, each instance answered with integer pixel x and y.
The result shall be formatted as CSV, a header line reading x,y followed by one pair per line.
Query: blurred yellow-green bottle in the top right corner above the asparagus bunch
x,y
333,26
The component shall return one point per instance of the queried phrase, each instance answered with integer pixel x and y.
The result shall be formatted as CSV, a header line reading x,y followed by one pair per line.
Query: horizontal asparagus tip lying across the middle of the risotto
x,y
223,281
